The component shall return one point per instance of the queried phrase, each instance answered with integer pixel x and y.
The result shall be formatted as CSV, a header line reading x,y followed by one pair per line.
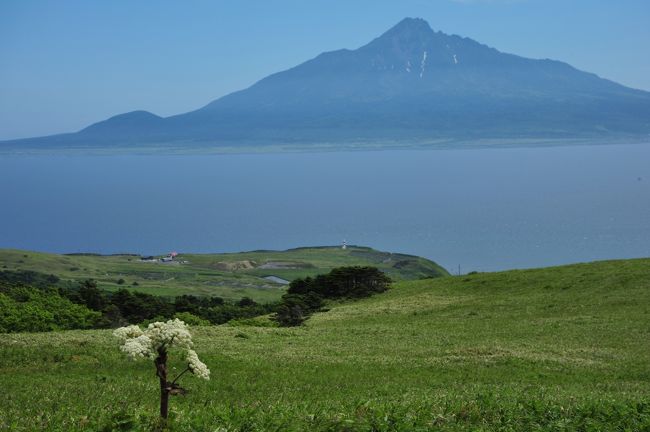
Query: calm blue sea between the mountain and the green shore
x,y
482,209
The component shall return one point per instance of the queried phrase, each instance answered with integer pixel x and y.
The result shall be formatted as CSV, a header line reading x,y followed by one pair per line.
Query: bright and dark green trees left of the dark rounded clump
x,y
31,301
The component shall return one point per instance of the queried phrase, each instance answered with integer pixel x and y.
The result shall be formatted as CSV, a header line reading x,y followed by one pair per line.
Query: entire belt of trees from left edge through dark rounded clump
x,y
32,301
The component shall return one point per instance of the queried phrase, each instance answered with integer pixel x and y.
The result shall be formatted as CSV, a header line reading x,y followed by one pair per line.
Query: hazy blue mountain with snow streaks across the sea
x,y
409,83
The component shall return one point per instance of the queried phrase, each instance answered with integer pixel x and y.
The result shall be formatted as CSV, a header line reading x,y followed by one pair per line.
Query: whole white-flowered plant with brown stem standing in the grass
x,y
154,343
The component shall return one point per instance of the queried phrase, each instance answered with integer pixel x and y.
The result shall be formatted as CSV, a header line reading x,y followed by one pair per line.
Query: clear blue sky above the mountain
x,y
67,64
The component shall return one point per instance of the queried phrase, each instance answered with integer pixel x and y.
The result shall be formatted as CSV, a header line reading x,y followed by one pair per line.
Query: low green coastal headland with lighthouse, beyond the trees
x,y
231,276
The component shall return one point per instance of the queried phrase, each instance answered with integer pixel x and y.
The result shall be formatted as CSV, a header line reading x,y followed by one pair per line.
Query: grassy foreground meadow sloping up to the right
x,y
563,348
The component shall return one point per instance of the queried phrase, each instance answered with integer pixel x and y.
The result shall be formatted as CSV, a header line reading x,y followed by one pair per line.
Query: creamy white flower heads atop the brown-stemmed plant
x,y
137,343
